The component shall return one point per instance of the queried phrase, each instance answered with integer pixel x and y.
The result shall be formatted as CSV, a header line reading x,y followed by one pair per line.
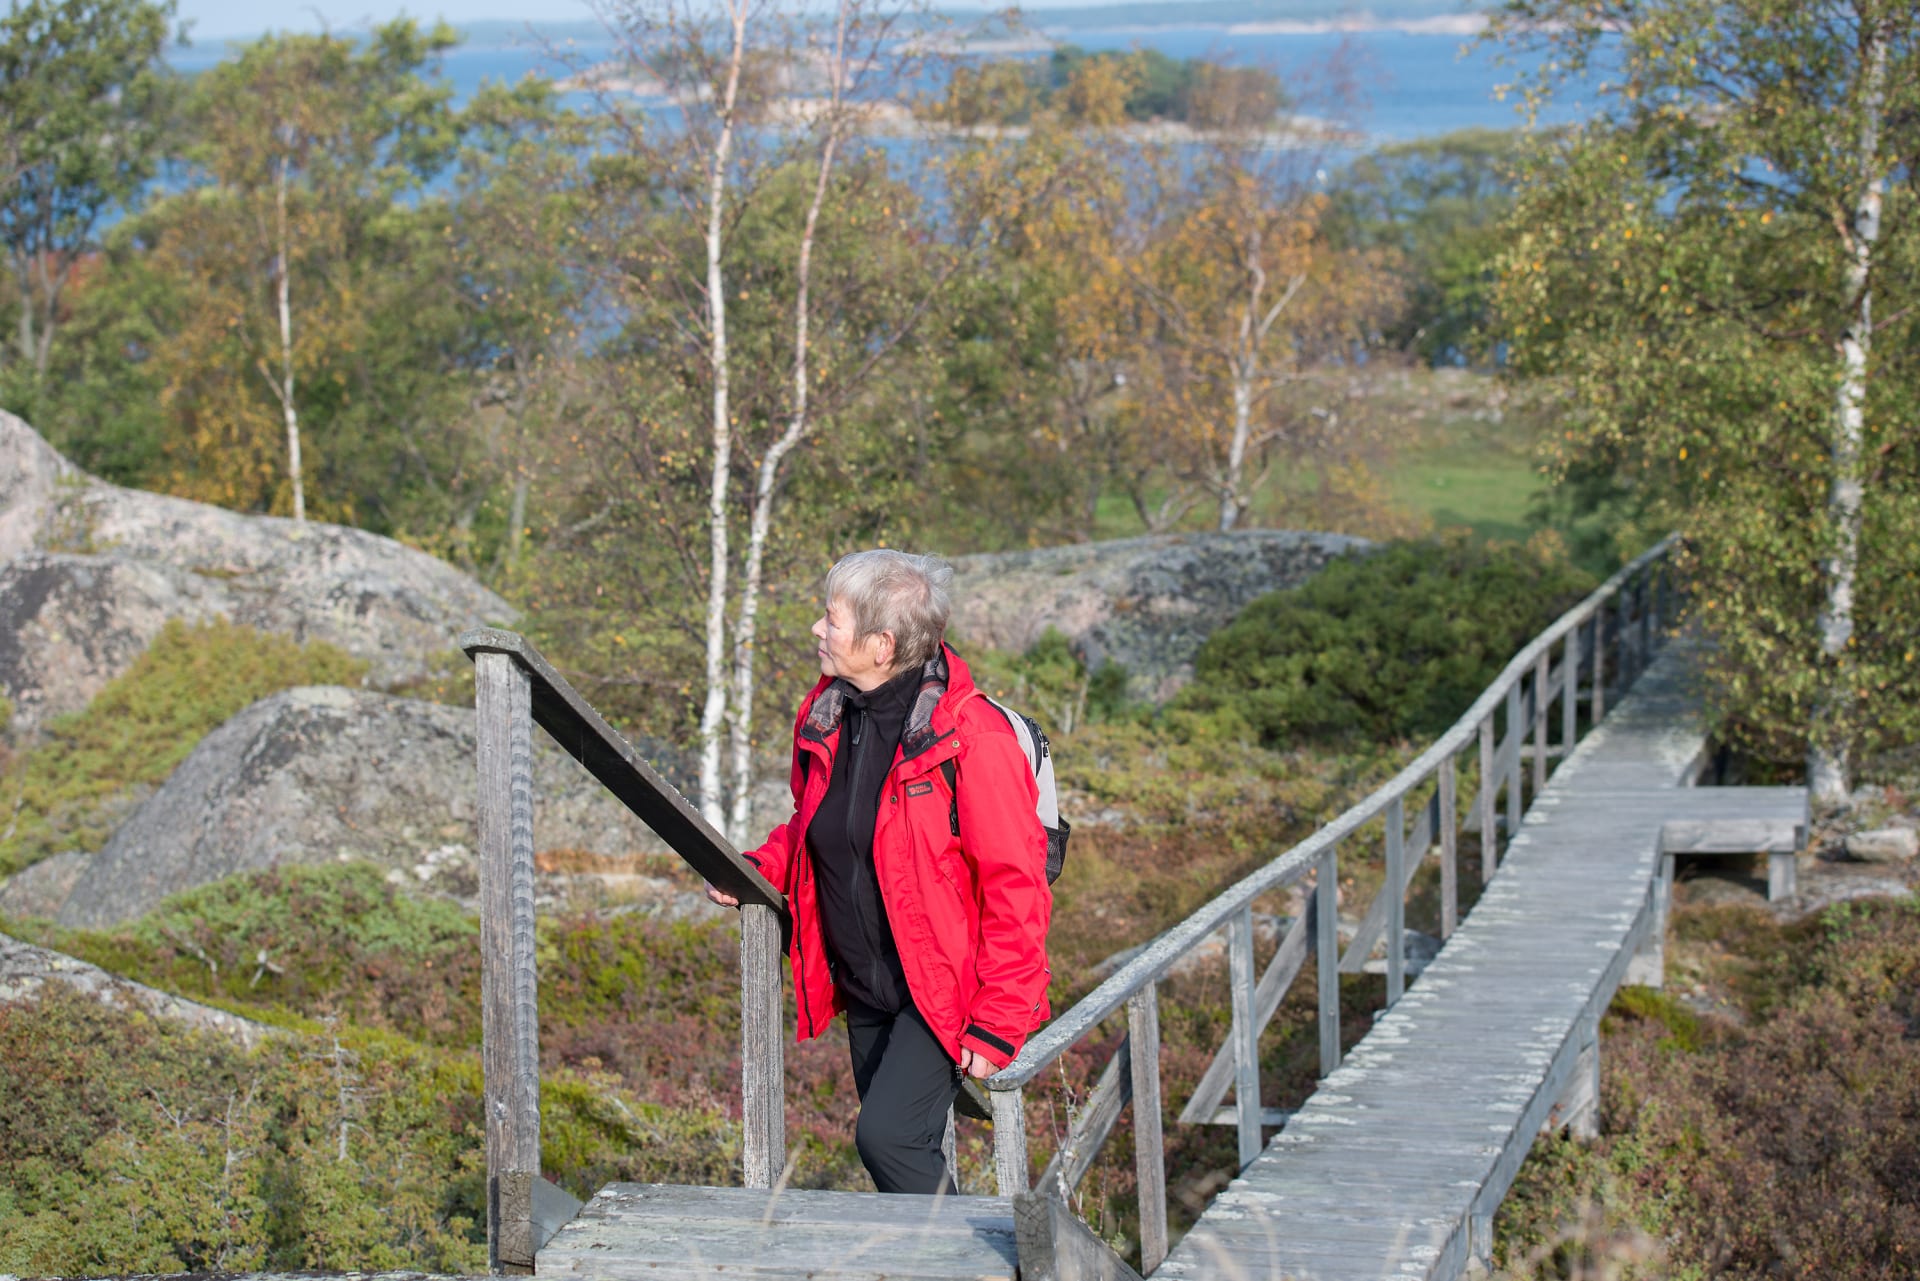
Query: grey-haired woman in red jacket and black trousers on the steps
x,y
921,911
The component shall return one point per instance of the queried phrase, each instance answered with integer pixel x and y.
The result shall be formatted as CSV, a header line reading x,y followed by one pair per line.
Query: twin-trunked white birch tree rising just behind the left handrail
x,y
767,101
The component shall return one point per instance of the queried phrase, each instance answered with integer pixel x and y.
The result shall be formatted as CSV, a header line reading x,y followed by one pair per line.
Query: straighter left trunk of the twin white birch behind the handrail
x,y
713,715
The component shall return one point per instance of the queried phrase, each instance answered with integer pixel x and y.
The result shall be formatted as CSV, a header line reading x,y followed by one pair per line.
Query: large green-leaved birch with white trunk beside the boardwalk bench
x,y
1721,274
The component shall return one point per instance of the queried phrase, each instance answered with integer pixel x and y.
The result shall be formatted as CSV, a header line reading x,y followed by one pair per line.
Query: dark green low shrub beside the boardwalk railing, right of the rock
x,y
1381,646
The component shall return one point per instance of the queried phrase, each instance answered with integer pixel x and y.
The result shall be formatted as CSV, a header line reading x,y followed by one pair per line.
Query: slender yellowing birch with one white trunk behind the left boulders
x,y
287,243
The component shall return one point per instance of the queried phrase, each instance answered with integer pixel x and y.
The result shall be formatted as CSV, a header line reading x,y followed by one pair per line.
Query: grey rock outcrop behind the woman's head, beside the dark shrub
x,y
1141,602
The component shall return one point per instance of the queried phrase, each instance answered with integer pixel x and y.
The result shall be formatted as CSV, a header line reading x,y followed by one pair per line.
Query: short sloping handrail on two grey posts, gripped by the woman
x,y
514,692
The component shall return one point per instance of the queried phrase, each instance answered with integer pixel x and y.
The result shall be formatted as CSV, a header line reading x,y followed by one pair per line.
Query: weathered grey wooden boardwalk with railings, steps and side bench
x,y
1581,756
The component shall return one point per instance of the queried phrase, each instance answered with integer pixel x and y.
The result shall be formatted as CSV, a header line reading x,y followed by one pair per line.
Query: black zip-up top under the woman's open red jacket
x,y
867,963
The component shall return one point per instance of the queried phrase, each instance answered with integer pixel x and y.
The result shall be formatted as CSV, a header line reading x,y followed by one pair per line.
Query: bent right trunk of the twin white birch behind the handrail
x,y
748,623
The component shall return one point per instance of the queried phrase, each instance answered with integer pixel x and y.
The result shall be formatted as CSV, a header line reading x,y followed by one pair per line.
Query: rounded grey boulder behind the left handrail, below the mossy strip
x,y
325,773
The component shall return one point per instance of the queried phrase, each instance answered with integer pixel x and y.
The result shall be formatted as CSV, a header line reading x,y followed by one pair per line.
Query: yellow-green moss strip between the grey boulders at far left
x,y
60,792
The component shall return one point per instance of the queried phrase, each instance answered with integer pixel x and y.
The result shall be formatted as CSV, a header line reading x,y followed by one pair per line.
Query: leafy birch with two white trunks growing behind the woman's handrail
x,y
765,285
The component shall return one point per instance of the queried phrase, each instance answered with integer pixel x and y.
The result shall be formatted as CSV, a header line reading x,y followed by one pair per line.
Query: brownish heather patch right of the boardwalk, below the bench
x,y
1775,1134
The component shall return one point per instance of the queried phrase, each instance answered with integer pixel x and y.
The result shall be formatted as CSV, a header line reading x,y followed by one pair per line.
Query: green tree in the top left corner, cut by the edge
x,y
85,107
